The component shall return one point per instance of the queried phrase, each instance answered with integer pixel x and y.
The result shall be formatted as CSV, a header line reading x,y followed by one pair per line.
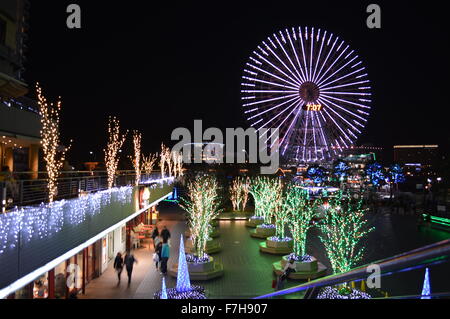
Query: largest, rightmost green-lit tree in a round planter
x,y
343,228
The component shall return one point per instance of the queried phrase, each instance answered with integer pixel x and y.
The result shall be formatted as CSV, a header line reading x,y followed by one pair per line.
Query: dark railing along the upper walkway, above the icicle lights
x,y
33,191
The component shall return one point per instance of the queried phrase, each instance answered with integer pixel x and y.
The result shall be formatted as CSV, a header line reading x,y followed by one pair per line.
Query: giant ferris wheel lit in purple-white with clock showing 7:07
x,y
312,86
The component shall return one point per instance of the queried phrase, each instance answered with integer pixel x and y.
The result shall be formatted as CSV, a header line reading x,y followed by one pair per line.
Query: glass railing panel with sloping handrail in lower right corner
x,y
418,274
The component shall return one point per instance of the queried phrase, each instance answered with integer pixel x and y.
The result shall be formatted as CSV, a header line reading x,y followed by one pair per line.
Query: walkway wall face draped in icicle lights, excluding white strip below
x,y
39,237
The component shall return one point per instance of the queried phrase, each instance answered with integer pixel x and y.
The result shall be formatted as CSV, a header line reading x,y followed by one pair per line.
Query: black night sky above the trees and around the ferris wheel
x,y
158,68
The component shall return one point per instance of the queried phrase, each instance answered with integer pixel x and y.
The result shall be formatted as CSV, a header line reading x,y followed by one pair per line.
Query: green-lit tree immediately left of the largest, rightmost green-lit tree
x,y
301,211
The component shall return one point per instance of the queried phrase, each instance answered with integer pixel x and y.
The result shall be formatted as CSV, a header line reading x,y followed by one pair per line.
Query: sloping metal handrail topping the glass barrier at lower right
x,y
386,265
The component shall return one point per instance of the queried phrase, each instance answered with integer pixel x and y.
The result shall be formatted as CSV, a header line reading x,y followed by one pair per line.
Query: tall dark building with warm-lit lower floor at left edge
x,y
19,116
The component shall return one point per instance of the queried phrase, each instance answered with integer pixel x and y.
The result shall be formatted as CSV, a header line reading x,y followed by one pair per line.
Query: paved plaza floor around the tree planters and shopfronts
x,y
248,273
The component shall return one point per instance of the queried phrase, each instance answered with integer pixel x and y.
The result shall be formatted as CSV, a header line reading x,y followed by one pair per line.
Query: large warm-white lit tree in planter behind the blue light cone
x,y
202,205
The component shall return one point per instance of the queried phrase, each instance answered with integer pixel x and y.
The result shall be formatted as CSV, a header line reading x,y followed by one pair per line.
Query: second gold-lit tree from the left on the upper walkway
x,y
115,142
